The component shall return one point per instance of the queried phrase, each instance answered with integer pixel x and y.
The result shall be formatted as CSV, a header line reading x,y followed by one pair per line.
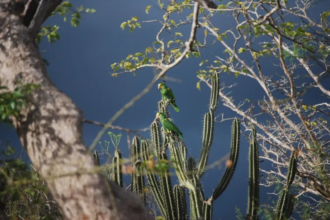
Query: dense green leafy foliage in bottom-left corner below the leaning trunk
x,y
23,193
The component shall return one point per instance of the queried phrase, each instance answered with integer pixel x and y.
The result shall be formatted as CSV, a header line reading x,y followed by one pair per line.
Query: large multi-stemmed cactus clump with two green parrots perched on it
x,y
149,154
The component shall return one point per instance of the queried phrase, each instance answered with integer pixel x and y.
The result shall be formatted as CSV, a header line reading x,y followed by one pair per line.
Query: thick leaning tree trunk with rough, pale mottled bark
x,y
50,129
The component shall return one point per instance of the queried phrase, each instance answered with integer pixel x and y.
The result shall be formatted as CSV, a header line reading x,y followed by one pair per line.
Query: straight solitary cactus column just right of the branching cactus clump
x,y
253,194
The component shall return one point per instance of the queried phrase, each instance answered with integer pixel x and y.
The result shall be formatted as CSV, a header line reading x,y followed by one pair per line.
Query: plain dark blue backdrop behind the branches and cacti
x,y
80,67
